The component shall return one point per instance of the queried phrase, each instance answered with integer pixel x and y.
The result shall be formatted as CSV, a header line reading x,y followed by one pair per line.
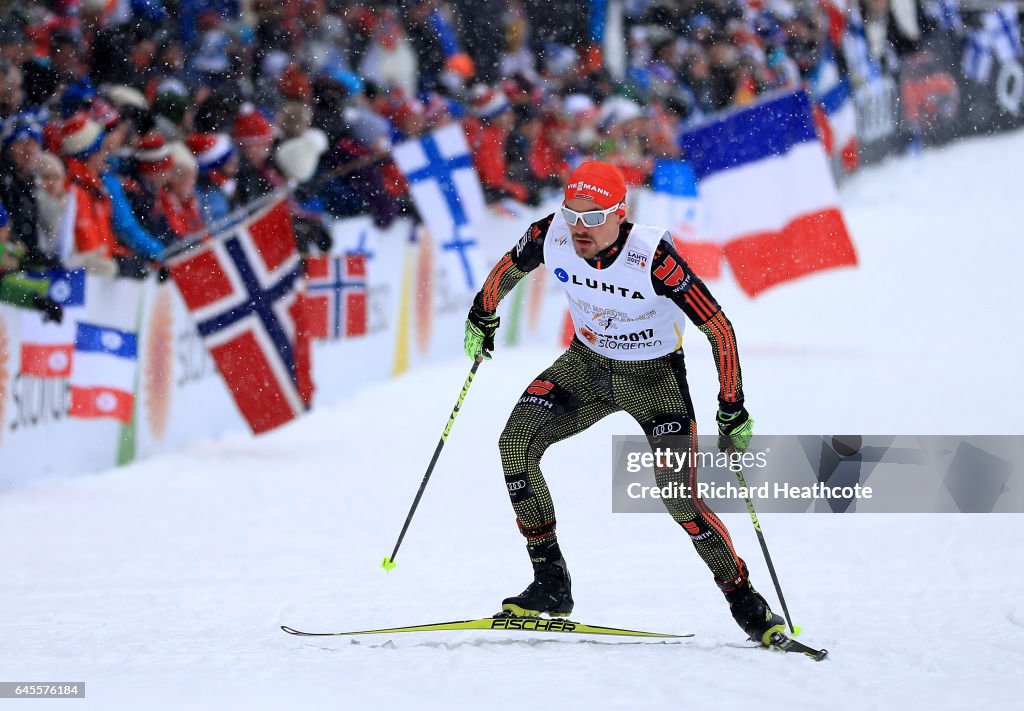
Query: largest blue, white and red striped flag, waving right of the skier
x,y
770,195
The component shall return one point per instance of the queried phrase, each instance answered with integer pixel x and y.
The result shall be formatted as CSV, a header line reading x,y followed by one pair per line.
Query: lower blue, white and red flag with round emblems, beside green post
x,y
103,381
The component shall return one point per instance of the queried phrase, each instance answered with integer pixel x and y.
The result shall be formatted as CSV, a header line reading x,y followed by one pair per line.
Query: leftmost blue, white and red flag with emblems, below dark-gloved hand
x,y
48,348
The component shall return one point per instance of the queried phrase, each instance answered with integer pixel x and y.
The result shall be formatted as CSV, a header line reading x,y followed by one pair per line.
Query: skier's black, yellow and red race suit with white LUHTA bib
x,y
626,305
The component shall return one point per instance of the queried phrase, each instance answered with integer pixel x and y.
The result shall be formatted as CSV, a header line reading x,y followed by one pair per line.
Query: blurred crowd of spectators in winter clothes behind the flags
x,y
132,126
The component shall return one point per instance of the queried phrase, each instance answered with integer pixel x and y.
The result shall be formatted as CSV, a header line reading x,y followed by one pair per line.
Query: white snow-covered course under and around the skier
x,y
163,584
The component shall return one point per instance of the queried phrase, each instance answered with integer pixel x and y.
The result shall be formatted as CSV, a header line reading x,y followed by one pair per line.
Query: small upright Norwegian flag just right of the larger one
x,y
336,292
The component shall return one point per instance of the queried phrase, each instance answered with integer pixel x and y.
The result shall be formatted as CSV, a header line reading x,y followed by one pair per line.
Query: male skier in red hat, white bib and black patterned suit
x,y
626,286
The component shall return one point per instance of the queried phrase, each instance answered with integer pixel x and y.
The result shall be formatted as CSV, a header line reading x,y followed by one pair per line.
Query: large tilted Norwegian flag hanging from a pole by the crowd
x,y
243,289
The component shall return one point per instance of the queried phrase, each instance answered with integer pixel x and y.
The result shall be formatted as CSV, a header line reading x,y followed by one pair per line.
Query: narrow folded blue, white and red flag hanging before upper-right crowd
x,y
836,112
